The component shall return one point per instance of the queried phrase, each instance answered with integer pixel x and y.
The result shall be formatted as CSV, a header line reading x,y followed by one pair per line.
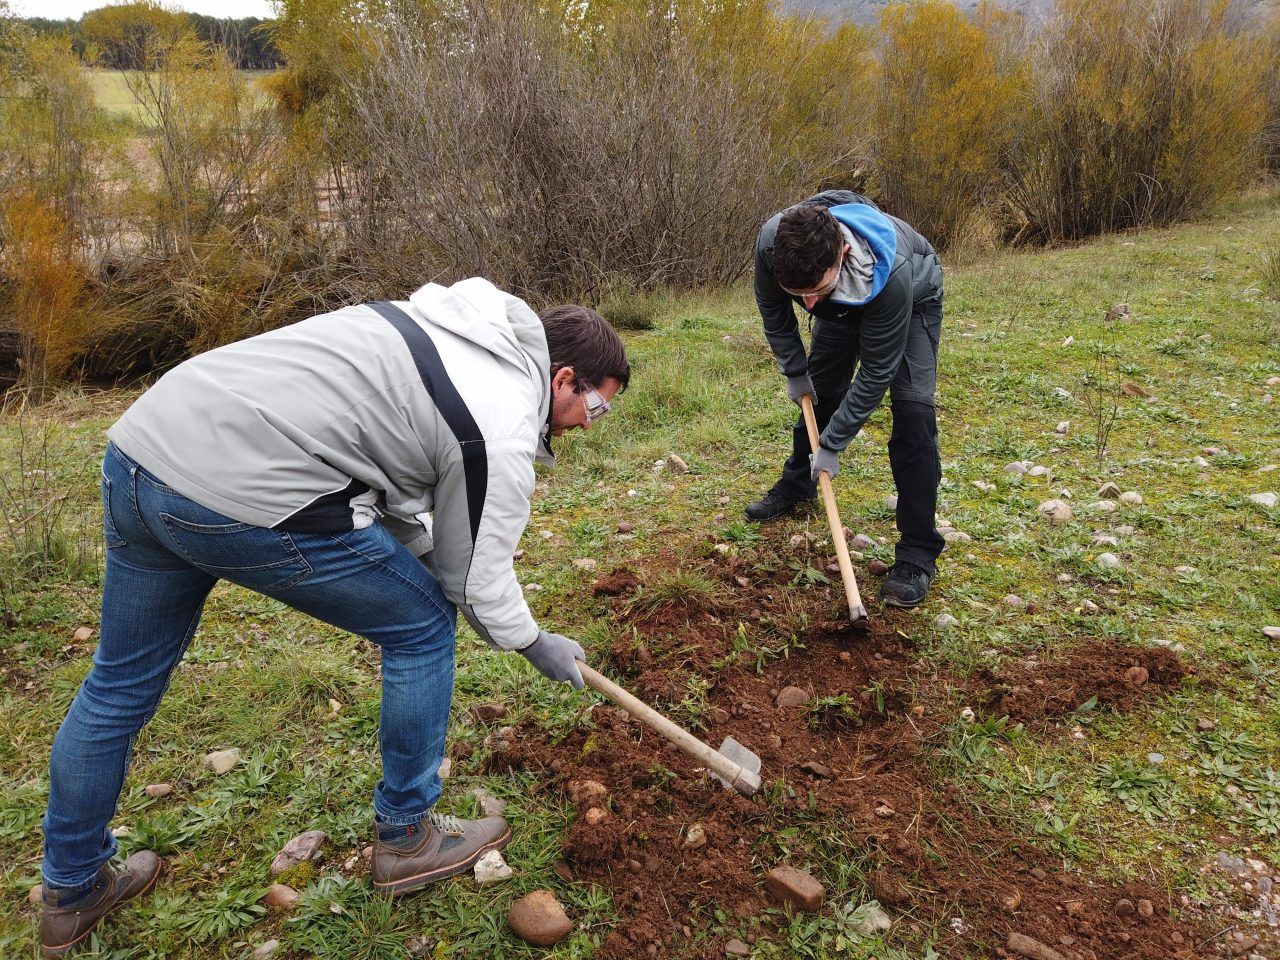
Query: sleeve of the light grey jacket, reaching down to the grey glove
x,y
477,572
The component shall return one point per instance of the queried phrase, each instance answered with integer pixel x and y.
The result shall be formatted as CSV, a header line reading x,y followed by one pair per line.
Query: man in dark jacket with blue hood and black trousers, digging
x,y
874,287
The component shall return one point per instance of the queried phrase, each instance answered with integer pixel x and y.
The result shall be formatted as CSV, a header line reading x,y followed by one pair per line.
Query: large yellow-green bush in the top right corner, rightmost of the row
x,y
1142,112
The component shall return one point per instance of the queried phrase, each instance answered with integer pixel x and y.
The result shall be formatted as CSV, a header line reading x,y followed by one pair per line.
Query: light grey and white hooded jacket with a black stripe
x,y
436,406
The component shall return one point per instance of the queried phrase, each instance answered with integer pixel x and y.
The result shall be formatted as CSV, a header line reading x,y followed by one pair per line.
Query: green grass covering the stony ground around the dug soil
x,y
1141,793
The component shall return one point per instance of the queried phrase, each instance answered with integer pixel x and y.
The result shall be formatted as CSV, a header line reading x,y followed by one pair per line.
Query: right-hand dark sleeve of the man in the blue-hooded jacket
x,y
883,342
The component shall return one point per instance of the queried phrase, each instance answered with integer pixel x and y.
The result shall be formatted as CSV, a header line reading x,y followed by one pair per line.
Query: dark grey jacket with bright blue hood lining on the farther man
x,y
890,268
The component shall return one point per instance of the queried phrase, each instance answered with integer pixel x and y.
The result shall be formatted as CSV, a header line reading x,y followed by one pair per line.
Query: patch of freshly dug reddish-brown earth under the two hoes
x,y
854,764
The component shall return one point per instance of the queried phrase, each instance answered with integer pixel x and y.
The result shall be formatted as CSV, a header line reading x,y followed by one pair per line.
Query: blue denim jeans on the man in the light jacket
x,y
164,554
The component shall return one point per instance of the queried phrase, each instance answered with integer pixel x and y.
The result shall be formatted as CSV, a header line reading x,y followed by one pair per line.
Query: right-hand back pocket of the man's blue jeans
x,y
246,555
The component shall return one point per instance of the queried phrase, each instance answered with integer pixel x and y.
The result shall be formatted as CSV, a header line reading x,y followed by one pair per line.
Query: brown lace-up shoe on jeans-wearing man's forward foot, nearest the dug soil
x,y
437,847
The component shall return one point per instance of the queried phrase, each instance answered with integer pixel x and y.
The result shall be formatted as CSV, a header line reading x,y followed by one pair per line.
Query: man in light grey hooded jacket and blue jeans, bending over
x,y
372,468
